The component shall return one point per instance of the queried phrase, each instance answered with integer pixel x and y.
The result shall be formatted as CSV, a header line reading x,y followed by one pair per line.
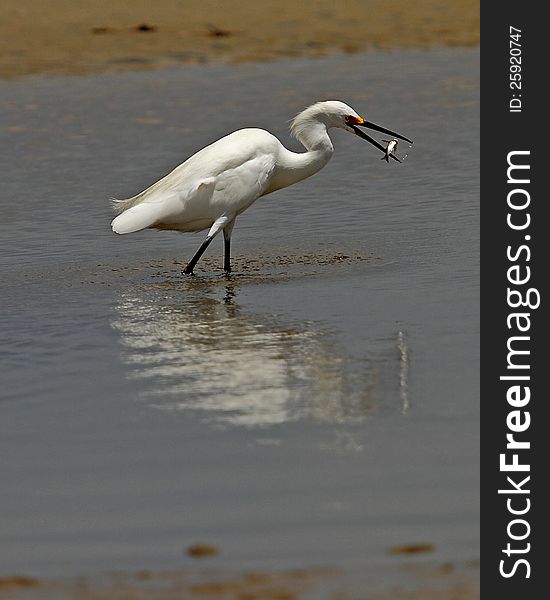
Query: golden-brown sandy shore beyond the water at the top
x,y
62,36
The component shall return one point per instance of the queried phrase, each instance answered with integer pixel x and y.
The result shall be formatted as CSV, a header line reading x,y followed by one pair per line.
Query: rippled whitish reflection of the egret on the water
x,y
200,351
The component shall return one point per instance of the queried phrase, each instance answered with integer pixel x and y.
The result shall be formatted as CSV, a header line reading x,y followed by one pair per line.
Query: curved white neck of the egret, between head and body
x,y
297,166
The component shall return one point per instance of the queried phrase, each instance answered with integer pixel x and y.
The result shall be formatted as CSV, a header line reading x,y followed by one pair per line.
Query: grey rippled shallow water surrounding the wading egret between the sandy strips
x,y
319,406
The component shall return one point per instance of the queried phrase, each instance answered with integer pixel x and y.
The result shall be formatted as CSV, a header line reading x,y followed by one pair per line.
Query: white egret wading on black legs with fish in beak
x,y
214,186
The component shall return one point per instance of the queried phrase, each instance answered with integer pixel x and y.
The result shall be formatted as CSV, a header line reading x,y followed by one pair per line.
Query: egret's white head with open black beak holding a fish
x,y
333,113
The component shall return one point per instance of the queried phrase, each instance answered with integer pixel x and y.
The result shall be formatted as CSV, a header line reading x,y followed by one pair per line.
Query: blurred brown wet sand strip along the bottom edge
x,y
443,582
